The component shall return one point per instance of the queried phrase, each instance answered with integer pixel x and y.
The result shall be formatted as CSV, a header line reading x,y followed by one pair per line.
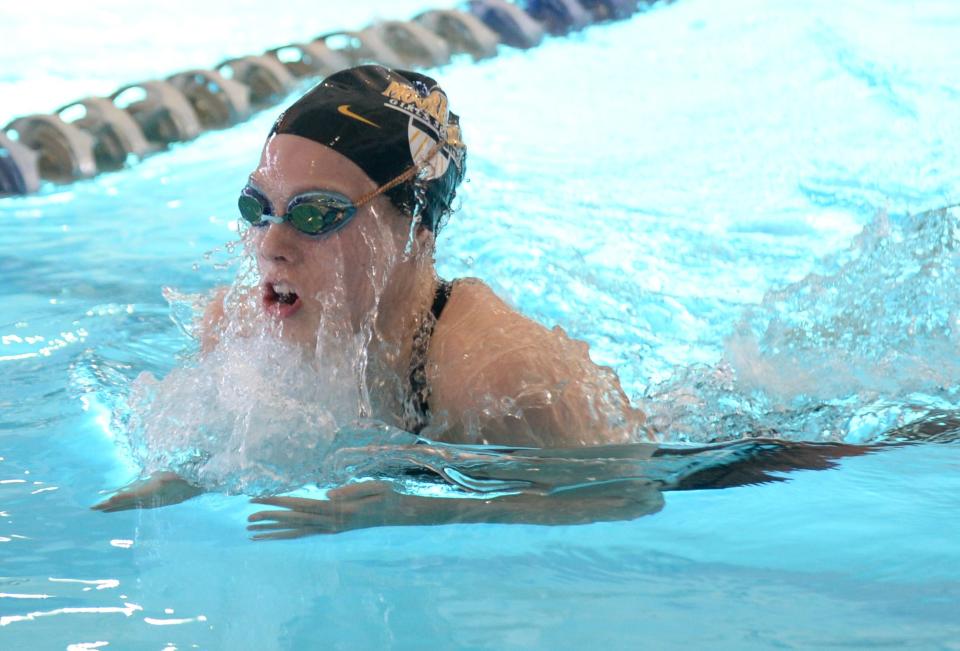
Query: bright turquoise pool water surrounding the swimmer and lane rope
x,y
733,204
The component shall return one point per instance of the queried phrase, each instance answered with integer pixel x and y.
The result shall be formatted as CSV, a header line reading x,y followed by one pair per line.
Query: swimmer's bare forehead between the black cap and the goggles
x,y
291,165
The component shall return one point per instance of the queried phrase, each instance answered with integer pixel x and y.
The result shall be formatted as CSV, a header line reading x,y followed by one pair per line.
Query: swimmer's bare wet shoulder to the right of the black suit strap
x,y
503,378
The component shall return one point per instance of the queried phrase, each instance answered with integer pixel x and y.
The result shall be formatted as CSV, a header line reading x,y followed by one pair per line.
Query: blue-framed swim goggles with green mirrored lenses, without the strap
x,y
313,213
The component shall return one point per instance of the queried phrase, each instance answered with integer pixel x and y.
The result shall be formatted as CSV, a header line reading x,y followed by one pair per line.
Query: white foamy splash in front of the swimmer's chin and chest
x,y
256,413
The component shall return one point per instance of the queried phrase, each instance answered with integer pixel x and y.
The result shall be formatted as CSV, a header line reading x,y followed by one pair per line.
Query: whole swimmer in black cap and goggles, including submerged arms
x,y
353,185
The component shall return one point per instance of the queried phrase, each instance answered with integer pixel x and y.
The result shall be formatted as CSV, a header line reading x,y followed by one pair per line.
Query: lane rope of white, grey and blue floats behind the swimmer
x,y
101,134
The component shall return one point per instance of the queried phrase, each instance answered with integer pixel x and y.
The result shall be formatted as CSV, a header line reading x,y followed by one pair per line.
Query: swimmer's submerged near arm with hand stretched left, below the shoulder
x,y
377,504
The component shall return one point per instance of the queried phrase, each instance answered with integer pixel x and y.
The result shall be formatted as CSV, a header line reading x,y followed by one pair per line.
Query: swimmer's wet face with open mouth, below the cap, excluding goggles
x,y
328,282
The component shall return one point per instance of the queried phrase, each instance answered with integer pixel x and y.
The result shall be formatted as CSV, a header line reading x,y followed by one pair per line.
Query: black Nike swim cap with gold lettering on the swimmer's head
x,y
387,121
